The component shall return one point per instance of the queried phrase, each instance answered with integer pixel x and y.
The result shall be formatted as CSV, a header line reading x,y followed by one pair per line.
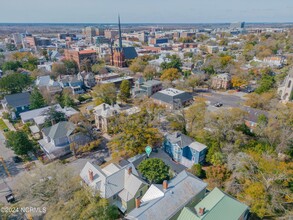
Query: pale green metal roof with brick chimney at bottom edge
x,y
218,205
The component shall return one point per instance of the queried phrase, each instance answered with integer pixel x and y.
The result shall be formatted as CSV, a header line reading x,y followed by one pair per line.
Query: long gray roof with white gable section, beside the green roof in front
x,y
158,204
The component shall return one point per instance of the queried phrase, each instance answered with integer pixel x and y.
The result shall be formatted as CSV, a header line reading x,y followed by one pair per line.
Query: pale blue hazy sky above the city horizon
x,y
145,11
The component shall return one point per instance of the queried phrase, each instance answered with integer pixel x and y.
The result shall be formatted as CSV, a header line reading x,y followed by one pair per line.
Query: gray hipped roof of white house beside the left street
x,y
61,129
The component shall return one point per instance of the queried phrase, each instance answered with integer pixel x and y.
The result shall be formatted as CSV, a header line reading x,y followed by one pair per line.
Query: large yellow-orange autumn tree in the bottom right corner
x,y
263,182
